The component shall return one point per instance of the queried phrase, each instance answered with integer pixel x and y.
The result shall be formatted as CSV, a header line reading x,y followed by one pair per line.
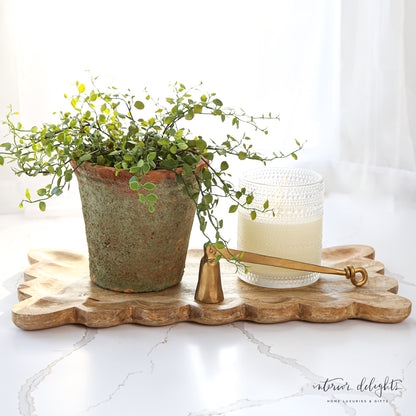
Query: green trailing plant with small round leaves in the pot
x,y
109,128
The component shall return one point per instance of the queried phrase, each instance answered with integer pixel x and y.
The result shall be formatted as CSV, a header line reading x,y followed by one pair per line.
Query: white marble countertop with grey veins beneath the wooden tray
x,y
240,369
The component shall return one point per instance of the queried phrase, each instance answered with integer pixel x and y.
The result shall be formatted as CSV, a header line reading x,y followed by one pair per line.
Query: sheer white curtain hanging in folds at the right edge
x,y
377,107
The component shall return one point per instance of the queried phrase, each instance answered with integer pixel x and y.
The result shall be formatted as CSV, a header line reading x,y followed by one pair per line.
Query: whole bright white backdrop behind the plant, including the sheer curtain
x,y
341,74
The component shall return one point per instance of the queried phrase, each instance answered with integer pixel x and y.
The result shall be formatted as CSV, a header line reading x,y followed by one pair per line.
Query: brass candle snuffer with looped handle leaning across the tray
x,y
209,288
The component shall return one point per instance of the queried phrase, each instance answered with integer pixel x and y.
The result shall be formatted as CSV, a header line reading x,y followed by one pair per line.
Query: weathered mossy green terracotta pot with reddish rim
x,y
131,249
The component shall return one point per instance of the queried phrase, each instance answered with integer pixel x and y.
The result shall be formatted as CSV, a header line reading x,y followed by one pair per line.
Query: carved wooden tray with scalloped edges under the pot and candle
x,y
58,291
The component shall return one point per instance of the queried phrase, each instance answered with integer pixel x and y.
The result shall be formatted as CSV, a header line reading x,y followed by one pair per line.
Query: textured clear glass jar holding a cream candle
x,y
291,226
